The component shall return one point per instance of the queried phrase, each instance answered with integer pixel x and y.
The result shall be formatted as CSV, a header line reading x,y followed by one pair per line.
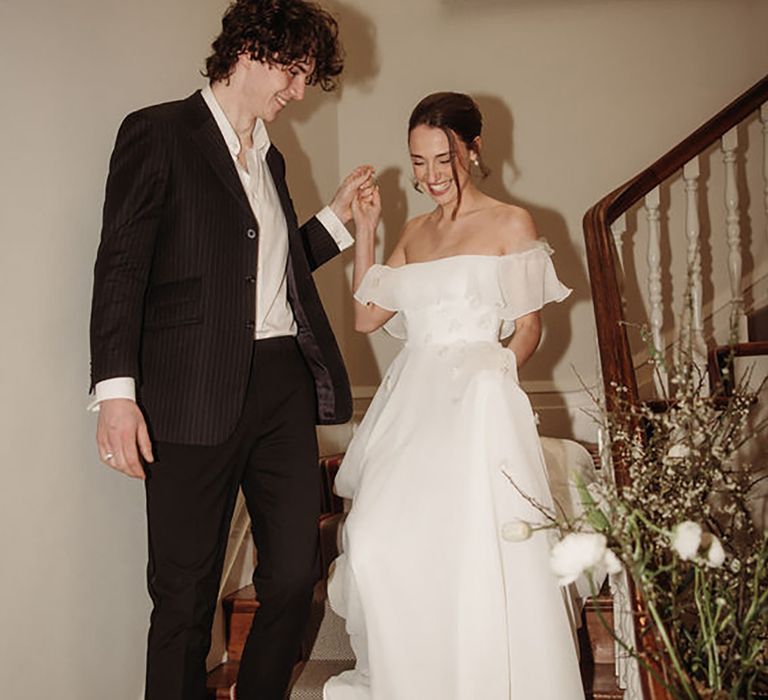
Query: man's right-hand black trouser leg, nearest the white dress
x,y
281,484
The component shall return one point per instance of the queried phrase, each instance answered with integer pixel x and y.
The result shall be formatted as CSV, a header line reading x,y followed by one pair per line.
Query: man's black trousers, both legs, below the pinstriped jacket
x,y
191,492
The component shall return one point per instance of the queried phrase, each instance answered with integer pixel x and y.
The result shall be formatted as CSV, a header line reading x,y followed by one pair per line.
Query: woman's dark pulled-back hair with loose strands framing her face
x,y
456,114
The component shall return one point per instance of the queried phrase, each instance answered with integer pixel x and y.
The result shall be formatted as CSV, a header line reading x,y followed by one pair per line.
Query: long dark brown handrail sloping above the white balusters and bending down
x,y
615,354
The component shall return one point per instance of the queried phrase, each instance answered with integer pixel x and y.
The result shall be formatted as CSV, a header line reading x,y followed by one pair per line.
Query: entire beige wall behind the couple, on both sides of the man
x,y
74,615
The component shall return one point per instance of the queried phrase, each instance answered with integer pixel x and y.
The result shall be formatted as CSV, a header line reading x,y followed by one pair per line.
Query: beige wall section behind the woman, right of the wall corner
x,y
578,97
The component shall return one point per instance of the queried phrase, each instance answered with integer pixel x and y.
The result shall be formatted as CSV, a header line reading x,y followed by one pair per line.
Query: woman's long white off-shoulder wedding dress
x,y
437,604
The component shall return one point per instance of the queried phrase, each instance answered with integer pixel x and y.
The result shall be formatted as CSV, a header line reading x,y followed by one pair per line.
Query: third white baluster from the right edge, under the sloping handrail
x,y
692,231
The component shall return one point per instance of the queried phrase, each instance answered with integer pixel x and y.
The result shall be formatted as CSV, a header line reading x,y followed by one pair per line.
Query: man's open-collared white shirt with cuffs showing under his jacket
x,y
274,316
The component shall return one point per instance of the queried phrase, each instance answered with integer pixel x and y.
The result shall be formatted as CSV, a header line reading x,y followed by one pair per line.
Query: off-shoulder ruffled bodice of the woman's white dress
x,y
463,298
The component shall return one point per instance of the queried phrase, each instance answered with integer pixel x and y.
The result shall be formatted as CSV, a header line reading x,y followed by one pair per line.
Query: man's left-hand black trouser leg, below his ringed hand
x,y
190,497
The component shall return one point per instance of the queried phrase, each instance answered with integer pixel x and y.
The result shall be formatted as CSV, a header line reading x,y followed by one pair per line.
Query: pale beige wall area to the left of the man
x,y
72,534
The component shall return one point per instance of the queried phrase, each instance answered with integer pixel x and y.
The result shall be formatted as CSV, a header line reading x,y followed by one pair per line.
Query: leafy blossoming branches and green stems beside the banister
x,y
709,612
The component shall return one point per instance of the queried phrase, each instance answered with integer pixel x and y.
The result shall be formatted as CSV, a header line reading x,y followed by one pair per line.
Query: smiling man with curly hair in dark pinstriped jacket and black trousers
x,y
212,358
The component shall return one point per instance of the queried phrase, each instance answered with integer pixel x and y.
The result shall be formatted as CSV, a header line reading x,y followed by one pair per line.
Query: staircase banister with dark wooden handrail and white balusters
x,y
701,210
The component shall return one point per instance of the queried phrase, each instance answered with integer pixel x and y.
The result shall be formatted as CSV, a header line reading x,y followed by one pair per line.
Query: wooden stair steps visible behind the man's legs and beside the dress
x,y
325,650
